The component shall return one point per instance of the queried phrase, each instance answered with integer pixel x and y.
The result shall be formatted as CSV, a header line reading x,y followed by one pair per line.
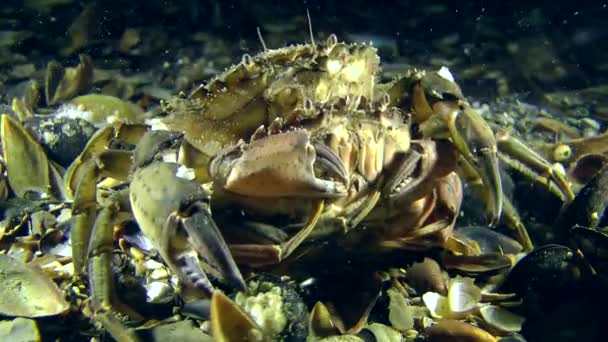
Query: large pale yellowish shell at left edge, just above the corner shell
x,y
28,291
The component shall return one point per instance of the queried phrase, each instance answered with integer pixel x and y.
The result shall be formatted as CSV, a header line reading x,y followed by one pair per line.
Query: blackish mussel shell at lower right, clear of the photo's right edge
x,y
546,269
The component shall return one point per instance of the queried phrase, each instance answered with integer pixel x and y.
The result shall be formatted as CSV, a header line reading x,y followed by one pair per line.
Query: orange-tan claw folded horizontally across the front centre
x,y
280,165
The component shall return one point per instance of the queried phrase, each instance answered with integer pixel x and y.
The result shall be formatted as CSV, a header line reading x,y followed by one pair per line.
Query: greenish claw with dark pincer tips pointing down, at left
x,y
173,212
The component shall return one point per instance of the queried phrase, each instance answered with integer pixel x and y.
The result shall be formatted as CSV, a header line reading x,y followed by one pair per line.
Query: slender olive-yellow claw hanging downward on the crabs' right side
x,y
475,141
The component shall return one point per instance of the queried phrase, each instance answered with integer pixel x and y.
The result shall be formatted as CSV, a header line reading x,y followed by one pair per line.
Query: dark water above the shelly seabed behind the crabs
x,y
560,45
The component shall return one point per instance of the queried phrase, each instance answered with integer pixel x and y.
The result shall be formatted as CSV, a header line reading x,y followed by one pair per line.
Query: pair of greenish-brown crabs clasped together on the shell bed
x,y
305,134
